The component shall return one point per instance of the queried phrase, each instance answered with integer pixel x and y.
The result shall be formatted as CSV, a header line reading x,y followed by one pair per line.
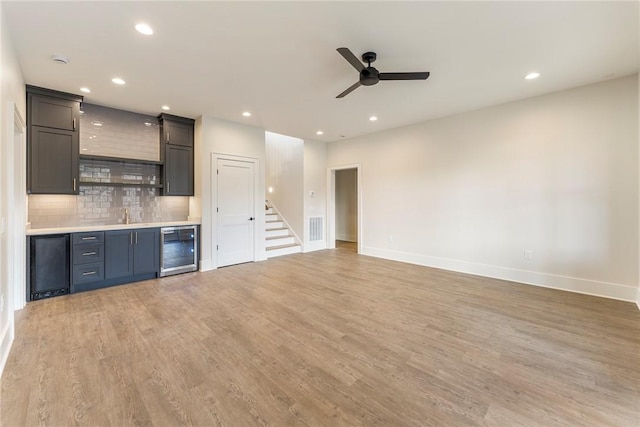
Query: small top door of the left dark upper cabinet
x,y
53,112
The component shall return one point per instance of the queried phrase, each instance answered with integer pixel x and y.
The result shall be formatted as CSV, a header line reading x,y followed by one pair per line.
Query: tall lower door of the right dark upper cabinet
x,y
178,171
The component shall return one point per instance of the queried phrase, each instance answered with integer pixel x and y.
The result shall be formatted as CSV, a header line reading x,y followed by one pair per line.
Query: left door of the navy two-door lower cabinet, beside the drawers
x,y
118,254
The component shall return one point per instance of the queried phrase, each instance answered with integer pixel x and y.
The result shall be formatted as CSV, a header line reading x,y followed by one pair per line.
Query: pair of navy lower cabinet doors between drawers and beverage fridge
x,y
132,253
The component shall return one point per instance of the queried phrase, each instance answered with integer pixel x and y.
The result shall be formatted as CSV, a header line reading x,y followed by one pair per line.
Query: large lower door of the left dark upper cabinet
x,y
53,161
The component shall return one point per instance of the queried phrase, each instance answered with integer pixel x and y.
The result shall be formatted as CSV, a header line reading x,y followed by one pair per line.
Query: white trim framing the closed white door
x,y
259,250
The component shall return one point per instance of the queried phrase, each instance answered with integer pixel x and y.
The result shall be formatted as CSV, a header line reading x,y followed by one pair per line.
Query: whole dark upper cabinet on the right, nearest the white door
x,y
177,150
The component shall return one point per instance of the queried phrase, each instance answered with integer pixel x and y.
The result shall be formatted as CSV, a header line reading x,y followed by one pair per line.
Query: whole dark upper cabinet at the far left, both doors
x,y
52,141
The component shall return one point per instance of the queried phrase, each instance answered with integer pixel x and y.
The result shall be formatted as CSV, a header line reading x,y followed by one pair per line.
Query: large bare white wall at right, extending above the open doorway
x,y
556,175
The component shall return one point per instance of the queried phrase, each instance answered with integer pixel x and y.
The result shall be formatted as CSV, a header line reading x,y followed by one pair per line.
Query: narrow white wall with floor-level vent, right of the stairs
x,y
315,191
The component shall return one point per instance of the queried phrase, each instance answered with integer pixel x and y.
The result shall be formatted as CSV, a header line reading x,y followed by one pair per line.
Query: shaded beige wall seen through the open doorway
x,y
346,205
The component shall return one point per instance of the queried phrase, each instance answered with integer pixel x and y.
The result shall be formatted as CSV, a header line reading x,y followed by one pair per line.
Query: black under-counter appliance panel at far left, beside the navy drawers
x,y
49,262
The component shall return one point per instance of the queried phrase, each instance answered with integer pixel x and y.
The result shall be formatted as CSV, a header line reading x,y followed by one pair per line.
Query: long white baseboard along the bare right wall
x,y
565,283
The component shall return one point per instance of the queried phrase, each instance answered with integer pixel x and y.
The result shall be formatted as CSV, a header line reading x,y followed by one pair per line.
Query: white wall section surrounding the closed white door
x,y
216,136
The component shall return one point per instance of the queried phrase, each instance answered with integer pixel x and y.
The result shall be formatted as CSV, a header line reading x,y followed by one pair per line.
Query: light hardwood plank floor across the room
x,y
327,338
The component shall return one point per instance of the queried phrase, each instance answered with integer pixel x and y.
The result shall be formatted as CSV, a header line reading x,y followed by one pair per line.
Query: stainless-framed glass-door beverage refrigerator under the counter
x,y
179,250
